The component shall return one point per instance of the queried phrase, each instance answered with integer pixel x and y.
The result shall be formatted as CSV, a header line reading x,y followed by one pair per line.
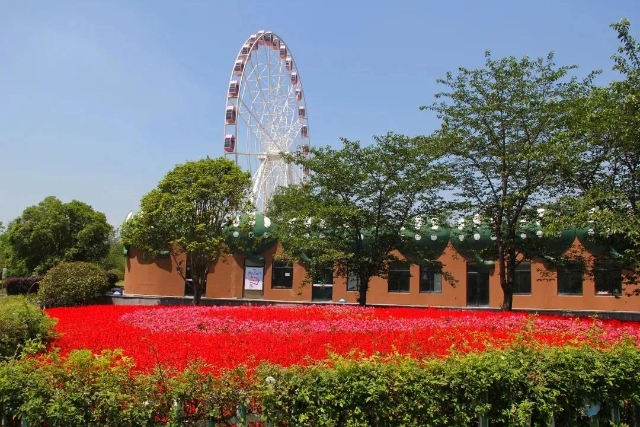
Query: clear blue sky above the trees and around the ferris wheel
x,y
99,99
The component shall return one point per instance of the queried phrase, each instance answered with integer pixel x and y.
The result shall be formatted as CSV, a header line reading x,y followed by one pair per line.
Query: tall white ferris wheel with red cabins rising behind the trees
x,y
266,115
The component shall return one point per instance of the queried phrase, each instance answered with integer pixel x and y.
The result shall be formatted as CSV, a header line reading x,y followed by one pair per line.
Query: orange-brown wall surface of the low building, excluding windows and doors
x,y
226,280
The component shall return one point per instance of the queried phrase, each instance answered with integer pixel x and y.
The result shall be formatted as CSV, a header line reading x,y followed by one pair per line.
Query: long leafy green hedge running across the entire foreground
x,y
508,386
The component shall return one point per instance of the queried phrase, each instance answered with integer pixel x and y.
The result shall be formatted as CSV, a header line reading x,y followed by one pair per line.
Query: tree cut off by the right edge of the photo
x,y
606,181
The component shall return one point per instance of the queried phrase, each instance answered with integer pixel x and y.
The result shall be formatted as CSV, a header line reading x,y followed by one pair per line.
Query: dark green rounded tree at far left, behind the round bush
x,y
52,232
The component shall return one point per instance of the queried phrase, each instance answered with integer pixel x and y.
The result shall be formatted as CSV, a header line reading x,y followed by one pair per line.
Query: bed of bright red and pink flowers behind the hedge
x,y
228,336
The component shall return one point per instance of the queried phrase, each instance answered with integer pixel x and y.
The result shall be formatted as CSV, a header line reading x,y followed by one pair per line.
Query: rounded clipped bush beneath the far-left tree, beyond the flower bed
x,y
72,283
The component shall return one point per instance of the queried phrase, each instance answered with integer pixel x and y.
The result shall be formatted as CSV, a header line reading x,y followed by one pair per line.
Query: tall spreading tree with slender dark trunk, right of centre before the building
x,y
504,135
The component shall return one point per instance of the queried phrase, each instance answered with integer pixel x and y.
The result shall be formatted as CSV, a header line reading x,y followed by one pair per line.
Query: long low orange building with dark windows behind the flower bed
x,y
473,282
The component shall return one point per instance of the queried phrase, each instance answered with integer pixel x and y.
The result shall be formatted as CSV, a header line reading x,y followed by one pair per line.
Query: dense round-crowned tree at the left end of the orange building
x,y
187,214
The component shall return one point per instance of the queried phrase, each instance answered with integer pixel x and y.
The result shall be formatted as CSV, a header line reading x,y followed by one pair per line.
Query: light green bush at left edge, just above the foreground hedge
x,y
22,323
